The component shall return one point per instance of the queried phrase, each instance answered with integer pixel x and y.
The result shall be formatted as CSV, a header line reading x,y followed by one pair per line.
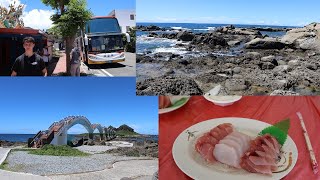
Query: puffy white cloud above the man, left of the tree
x,y
37,19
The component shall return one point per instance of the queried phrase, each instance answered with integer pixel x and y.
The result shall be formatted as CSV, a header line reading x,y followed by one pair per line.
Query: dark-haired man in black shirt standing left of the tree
x,y
29,63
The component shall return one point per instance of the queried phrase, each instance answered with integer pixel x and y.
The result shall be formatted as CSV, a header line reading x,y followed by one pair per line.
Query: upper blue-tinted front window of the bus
x,y
103,25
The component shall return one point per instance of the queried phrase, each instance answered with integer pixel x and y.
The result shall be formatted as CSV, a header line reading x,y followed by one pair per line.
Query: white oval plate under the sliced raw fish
x,y
189,161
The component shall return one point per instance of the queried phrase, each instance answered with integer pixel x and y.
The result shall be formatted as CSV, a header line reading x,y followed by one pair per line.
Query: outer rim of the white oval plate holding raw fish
x,y
174,147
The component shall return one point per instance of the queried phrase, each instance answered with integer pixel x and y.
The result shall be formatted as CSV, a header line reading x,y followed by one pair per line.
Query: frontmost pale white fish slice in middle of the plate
x,y
227,155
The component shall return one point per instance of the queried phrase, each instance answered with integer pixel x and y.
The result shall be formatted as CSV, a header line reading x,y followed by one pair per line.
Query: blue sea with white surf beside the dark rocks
x,y
155,45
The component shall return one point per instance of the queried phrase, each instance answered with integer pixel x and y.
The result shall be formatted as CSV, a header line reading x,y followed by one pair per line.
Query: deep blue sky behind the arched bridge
x,y
32,104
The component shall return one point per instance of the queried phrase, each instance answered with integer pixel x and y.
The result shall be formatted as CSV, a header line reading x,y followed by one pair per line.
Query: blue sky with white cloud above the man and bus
x,y
37,15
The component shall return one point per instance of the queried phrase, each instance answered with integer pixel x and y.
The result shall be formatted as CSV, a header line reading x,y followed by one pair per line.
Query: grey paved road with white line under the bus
x,y
126,68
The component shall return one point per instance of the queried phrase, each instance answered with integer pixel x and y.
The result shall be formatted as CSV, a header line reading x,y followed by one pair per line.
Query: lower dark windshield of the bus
x,y
105,44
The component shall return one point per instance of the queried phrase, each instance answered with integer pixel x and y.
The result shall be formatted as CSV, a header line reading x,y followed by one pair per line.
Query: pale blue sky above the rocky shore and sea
x,y
267,12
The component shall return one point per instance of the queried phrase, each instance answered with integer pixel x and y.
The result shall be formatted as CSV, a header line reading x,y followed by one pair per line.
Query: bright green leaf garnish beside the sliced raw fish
x,y
278,130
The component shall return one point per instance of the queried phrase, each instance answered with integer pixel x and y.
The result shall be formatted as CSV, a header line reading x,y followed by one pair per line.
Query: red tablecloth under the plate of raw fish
x,y
264,108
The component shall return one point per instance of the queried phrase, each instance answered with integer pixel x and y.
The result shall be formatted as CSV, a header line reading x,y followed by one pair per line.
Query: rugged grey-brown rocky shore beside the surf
x,y
241,60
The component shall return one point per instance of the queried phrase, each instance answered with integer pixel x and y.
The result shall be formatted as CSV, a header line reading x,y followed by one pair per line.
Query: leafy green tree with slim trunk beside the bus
x,y
70,16
